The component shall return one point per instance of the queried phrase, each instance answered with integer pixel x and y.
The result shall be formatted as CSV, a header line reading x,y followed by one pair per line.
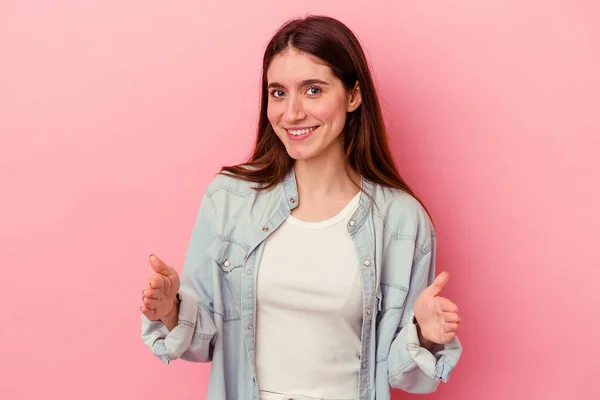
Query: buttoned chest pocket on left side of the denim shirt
x,y
228,261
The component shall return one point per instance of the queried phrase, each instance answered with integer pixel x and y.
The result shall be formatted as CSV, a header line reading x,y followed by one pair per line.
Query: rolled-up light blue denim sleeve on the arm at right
x,y
411,367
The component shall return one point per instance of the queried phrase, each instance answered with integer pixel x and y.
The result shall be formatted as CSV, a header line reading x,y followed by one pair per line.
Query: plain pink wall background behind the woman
x,y
114,115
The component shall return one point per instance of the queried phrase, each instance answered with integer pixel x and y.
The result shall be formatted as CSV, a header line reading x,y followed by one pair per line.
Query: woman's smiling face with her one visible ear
x,y
307,105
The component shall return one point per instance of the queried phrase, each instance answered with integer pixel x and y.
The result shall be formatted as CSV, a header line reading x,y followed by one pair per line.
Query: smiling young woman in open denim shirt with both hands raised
x,y
310,269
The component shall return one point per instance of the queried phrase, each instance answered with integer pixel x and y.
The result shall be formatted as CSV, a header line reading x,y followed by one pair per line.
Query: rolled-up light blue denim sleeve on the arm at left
x,y
193,337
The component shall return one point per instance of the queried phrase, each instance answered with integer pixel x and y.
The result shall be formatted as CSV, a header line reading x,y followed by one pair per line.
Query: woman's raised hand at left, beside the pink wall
x,y
159,298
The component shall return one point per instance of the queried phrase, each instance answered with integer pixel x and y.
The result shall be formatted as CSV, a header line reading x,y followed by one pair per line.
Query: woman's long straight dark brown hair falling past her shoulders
x,y
365,137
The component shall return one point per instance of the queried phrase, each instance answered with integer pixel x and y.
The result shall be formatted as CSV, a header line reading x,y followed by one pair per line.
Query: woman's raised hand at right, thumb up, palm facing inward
x,y
437,317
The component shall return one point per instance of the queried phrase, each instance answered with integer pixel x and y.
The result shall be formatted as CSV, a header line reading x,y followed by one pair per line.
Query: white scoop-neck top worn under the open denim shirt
x,y
309,310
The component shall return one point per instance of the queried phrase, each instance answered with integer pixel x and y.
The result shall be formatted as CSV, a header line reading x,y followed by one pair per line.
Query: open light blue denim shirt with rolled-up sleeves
x,y
395,243
